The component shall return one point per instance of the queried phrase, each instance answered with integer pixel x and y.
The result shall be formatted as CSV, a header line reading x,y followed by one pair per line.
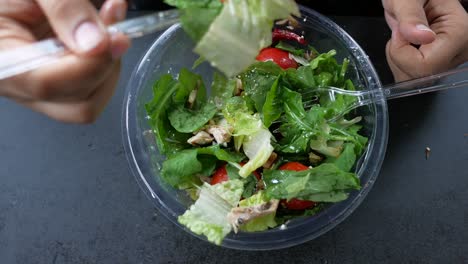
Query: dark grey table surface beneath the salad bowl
x,y
67,195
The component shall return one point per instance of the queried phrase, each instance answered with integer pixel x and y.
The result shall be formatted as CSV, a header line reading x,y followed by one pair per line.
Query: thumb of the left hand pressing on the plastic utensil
x,y
77,24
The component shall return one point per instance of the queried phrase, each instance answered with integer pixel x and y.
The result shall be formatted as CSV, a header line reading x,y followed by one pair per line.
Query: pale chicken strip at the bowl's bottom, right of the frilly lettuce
x,y
242,215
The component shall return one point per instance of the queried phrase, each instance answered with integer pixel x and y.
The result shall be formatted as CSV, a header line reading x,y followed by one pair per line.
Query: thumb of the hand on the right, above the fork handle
x,y
412,21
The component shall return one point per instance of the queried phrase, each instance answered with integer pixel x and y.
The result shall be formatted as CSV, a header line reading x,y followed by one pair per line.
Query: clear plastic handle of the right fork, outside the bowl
x,y
427,84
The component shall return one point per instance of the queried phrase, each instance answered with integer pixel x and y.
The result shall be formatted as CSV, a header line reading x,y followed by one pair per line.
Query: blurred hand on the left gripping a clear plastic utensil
x,y
77,87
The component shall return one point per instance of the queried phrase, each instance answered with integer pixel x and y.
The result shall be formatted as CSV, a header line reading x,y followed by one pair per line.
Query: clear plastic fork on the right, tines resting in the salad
x,y
422,85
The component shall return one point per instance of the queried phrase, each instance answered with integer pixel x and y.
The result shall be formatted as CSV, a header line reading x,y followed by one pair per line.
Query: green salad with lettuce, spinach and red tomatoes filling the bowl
x,y
256,149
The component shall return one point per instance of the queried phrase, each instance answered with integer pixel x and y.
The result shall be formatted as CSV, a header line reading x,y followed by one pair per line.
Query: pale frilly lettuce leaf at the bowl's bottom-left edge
x,y
208,215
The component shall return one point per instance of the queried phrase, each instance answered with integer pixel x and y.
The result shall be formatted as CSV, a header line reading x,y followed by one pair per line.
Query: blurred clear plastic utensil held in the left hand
x,y
30,57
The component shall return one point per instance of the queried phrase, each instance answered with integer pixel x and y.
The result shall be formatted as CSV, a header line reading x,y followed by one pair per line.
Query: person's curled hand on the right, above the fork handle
x,y
428,36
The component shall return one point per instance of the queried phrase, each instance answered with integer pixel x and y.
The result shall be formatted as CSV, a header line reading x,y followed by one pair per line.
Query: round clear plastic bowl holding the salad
x,y
173,51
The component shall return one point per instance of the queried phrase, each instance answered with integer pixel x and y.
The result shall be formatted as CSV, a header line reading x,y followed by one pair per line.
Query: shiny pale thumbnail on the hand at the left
x,y
88,36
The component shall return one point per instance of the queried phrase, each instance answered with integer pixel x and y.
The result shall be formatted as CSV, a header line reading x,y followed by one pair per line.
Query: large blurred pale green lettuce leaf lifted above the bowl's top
x,y
240,31
